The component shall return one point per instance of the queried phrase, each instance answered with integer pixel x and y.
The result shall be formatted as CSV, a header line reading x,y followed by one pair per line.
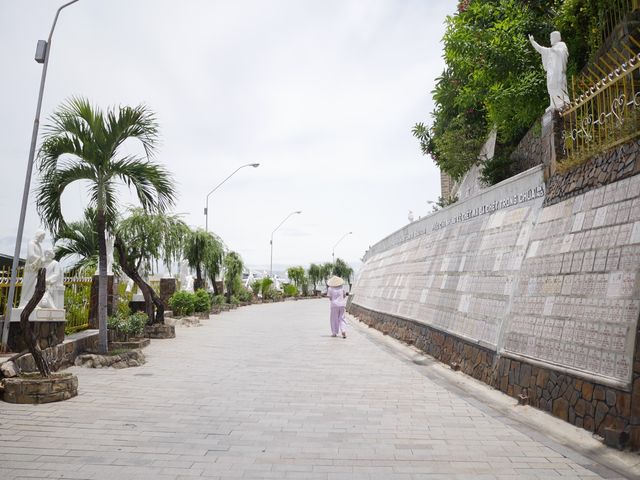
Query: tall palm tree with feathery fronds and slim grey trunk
x,y
84,143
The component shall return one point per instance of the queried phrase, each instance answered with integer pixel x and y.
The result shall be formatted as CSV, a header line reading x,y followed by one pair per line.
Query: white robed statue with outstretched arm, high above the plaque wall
x,y
554,61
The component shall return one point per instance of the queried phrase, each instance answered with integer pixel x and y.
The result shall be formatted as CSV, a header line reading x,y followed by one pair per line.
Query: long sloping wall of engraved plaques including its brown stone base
x,y
552,291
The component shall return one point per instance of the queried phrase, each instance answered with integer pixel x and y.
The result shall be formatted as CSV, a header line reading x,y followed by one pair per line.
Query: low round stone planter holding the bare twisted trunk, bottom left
x,y
33,389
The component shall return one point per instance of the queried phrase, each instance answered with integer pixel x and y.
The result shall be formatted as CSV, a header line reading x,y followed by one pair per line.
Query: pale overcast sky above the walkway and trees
x,y
323,94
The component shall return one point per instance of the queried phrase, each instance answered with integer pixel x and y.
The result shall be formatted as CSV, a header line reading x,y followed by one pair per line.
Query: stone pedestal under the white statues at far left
x,y
47,324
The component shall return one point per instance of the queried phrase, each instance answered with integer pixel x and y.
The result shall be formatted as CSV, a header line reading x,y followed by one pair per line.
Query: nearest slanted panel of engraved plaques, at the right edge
x,y
577,302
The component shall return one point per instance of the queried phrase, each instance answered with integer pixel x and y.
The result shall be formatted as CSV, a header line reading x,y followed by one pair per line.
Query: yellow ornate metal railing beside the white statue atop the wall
x,y
605,106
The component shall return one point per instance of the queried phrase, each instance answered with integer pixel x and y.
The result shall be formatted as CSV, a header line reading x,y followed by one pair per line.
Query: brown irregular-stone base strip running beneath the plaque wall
x,y
586,404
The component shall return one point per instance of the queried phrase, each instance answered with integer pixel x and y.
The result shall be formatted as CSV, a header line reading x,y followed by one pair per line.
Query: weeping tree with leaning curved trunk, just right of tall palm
x,y
144,239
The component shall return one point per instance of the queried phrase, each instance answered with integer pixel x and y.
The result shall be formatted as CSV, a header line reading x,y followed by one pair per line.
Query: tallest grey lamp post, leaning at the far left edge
x,y
43,49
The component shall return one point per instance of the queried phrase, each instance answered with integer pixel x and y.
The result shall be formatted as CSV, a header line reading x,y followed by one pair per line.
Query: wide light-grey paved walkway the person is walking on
x,y
265,392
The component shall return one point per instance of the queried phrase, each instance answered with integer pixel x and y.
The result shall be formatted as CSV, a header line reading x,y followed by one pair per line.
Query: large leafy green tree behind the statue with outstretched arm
x,y
494,79
